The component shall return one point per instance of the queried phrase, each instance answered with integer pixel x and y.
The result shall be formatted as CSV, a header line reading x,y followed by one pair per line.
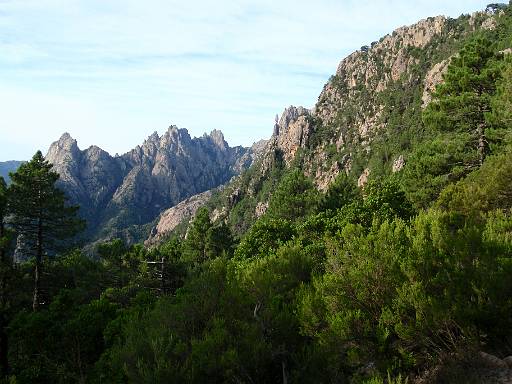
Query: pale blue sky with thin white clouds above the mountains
x,y
111,72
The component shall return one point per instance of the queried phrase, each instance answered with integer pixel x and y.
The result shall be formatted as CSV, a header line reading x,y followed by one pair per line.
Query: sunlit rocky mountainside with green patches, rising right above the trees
x,y
366,123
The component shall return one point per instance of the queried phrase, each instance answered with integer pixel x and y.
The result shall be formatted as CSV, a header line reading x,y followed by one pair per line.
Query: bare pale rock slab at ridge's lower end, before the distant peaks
x,y
174,216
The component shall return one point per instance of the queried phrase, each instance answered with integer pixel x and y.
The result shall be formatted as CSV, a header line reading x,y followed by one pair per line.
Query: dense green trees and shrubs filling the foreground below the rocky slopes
x,y
353,285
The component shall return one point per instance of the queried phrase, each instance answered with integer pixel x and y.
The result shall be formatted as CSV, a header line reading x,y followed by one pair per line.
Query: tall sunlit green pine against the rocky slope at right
x,y
461,125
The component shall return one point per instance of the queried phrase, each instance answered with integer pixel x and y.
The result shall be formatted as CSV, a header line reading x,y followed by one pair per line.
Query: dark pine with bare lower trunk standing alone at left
x,y
39,212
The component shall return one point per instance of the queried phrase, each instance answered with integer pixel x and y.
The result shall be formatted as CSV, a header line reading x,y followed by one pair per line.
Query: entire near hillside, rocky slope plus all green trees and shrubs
x,y
372,242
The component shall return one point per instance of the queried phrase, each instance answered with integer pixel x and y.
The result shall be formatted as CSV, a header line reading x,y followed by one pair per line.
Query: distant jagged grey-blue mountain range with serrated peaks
x,y
118,195
